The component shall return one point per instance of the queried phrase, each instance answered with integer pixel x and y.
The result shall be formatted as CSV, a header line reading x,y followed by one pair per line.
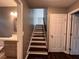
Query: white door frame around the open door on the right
x,y
69,28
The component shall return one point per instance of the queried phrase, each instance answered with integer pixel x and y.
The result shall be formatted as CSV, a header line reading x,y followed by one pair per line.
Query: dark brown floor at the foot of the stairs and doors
x,y
54,56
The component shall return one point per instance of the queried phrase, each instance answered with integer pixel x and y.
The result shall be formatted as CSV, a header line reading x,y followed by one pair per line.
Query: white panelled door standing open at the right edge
x,y
75,35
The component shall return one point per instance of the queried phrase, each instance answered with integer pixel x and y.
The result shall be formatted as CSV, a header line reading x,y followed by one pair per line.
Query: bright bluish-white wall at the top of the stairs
x,y
38,15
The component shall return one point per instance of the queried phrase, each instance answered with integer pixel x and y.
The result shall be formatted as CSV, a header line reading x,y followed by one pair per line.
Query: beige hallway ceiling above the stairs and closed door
x,y
51,3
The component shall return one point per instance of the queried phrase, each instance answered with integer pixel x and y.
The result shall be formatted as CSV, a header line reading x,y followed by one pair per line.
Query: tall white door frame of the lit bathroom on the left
x,y
20,32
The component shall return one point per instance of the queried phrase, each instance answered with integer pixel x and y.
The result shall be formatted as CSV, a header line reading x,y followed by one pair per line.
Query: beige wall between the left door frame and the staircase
x,y
27,26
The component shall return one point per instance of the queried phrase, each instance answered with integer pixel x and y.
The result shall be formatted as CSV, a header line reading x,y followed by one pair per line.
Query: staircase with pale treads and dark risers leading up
x,y
38,45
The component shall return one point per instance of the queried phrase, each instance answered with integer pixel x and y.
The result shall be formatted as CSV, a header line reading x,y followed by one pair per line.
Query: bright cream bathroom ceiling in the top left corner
x,y
7,3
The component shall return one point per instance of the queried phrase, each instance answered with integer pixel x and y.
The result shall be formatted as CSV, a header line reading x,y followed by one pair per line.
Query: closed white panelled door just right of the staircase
x,y
57,32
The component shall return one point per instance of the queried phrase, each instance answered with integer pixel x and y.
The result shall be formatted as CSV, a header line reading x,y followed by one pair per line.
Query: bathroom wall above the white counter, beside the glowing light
x,y
6,21
